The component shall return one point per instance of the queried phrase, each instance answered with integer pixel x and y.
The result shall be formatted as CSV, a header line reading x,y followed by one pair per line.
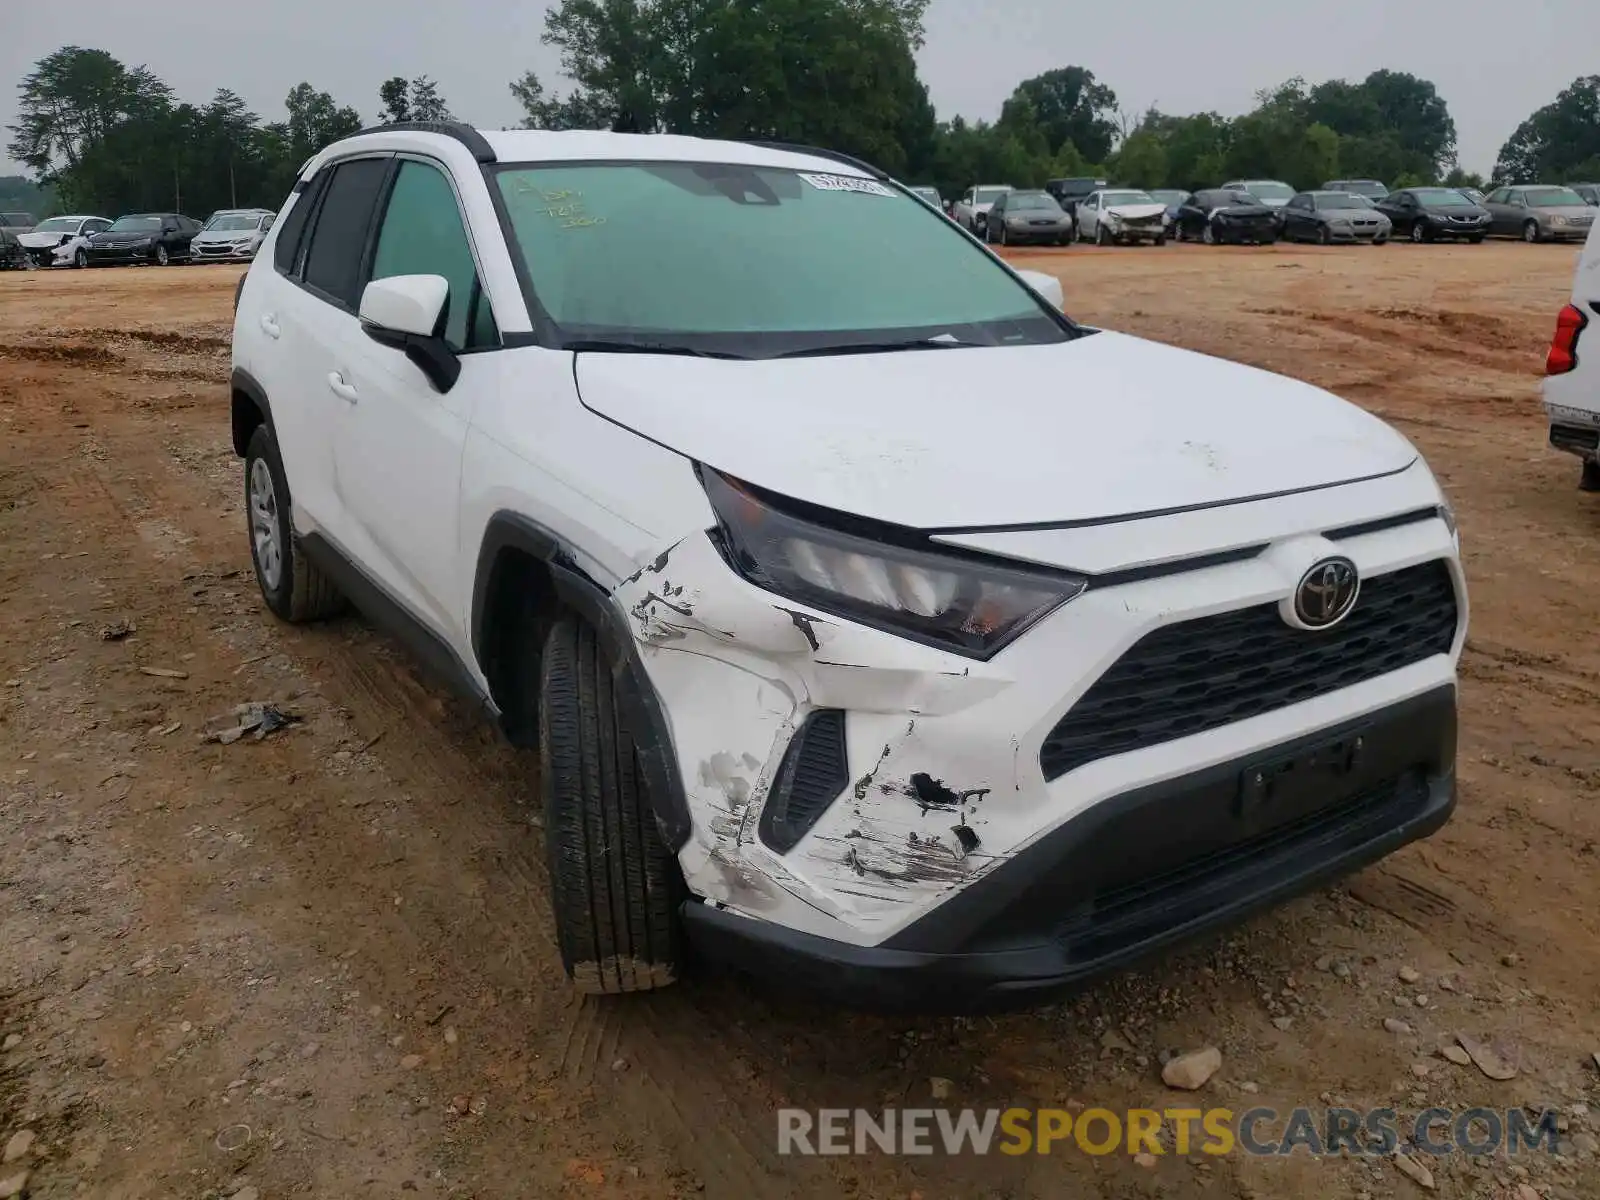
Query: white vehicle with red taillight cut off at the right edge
x,y
1572,380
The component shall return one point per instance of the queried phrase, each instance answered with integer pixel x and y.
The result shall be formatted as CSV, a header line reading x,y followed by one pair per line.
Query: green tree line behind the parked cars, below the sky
x,y
841,74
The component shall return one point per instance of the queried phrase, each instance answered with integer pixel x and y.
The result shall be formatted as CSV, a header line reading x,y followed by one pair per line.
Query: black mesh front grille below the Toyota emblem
x,y
1202,674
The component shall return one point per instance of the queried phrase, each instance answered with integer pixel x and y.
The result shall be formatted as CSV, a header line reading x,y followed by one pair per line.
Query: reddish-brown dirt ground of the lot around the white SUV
x,y
321,966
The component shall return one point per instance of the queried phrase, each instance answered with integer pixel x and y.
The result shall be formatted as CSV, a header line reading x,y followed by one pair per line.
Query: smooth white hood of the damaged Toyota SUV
x,y
1102,426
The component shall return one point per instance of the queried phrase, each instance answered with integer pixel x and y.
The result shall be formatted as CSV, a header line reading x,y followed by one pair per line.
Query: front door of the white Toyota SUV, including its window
x,y
399,441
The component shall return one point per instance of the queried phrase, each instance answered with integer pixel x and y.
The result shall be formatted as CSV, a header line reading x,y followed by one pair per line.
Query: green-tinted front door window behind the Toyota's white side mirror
x,y
423,236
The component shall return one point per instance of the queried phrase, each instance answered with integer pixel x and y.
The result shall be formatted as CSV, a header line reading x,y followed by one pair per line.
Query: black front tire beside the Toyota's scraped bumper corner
x,y
614,886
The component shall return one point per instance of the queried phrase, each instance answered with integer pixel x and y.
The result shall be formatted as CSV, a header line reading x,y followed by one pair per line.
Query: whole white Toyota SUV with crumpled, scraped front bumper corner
x,y
878,628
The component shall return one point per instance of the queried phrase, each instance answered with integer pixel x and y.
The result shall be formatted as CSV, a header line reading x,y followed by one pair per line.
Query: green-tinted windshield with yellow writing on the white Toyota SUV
x,y
754,262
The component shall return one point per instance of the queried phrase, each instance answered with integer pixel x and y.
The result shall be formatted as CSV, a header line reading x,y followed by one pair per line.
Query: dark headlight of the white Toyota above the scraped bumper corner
x,y
943,598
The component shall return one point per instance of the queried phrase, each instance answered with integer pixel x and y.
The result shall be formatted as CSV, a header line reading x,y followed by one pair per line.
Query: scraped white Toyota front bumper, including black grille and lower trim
x,y
1001,828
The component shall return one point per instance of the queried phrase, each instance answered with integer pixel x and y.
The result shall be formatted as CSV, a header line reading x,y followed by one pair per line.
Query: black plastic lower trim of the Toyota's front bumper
x,y
1049,919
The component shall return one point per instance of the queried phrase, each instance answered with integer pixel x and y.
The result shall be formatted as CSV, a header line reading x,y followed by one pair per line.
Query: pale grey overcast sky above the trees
x,y
1492,63
